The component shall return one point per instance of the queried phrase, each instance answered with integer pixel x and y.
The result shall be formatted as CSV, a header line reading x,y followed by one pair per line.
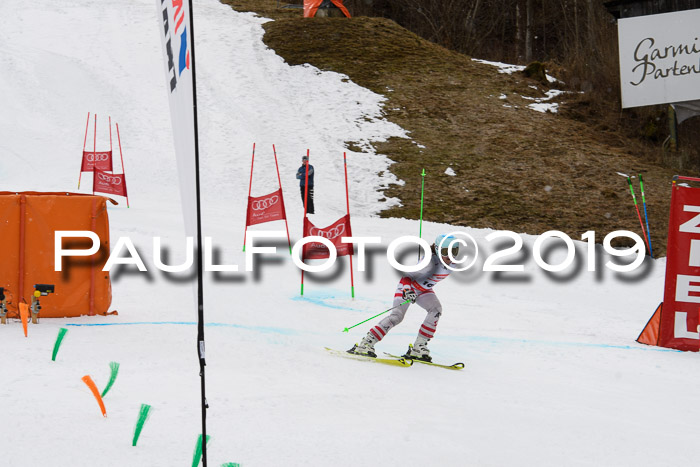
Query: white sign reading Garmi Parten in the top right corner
x,y
660,58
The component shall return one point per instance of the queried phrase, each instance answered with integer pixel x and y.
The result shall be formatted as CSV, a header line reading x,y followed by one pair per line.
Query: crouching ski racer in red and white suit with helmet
x,y
416,287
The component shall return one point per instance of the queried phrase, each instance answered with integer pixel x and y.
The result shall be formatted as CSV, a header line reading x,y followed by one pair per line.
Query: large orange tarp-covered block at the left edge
x,y
28,221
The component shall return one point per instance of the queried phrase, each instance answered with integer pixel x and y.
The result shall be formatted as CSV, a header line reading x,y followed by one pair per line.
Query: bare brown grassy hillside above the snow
x,y
516,169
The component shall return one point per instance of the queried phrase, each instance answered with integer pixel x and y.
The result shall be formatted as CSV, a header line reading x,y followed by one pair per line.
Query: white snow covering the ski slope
x,y
553,374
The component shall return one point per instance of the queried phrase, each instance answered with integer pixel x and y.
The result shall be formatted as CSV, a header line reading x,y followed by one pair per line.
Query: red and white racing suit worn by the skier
x,y
422,282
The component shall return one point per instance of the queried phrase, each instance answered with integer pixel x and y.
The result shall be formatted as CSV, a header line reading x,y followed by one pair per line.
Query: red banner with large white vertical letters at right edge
x,y
679,314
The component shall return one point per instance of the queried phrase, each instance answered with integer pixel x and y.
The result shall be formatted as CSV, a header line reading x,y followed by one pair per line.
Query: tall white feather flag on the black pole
x,y
176,37
